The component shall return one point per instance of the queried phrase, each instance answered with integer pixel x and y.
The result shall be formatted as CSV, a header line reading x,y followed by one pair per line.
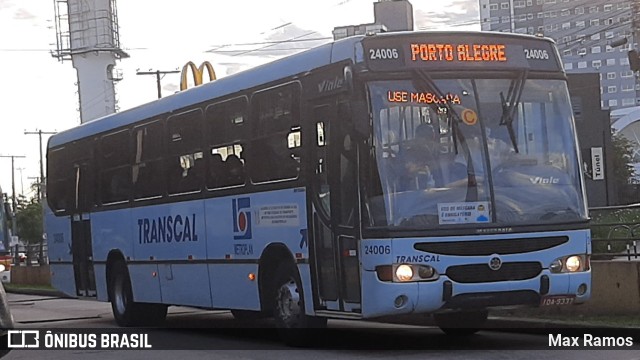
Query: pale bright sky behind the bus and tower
x,y
40,93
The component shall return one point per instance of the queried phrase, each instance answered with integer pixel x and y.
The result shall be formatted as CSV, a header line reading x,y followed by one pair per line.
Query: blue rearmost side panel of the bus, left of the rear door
x,y
59,249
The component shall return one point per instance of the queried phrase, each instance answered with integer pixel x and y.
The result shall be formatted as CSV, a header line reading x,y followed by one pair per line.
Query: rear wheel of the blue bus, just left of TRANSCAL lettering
x,y
126,312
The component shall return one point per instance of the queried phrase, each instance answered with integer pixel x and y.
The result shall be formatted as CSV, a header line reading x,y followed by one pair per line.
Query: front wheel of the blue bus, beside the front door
x,y
288,309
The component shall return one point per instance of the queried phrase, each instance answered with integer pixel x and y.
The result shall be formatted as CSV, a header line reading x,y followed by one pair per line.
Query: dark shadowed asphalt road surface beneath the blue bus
x,y
217,335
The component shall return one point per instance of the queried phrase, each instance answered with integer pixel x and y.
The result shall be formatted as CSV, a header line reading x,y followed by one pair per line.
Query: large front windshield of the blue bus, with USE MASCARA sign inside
x,y
493,151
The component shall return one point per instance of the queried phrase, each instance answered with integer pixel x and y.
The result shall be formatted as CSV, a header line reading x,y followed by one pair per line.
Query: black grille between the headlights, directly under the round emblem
x,y
477,273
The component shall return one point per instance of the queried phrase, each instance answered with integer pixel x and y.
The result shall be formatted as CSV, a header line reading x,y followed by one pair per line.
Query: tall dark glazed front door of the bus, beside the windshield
x,y
335,213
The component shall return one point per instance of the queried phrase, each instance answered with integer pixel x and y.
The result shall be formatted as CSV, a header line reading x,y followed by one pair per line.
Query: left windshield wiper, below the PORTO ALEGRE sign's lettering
x,y
472,183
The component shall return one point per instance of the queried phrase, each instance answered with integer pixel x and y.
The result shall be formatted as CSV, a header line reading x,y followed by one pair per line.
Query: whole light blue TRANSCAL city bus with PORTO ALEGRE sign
x,y
382,175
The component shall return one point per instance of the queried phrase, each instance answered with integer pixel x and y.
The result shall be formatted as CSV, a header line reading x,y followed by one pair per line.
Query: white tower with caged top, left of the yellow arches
x,y
87,34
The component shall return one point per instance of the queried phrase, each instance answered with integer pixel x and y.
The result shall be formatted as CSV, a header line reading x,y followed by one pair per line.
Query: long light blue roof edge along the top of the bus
x,y
295,64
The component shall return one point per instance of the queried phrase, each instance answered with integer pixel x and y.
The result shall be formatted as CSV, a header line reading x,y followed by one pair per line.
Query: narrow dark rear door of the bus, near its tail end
x,y
81,247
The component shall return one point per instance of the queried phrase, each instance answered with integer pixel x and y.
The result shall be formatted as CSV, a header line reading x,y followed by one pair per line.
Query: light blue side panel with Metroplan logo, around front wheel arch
x,y
239,229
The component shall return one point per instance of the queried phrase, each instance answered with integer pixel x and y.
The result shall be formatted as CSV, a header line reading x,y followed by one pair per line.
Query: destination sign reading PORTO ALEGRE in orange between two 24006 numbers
x,y
459,52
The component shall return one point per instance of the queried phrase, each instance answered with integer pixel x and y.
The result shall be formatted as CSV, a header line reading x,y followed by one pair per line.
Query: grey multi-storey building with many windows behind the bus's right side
x,y
593,36
